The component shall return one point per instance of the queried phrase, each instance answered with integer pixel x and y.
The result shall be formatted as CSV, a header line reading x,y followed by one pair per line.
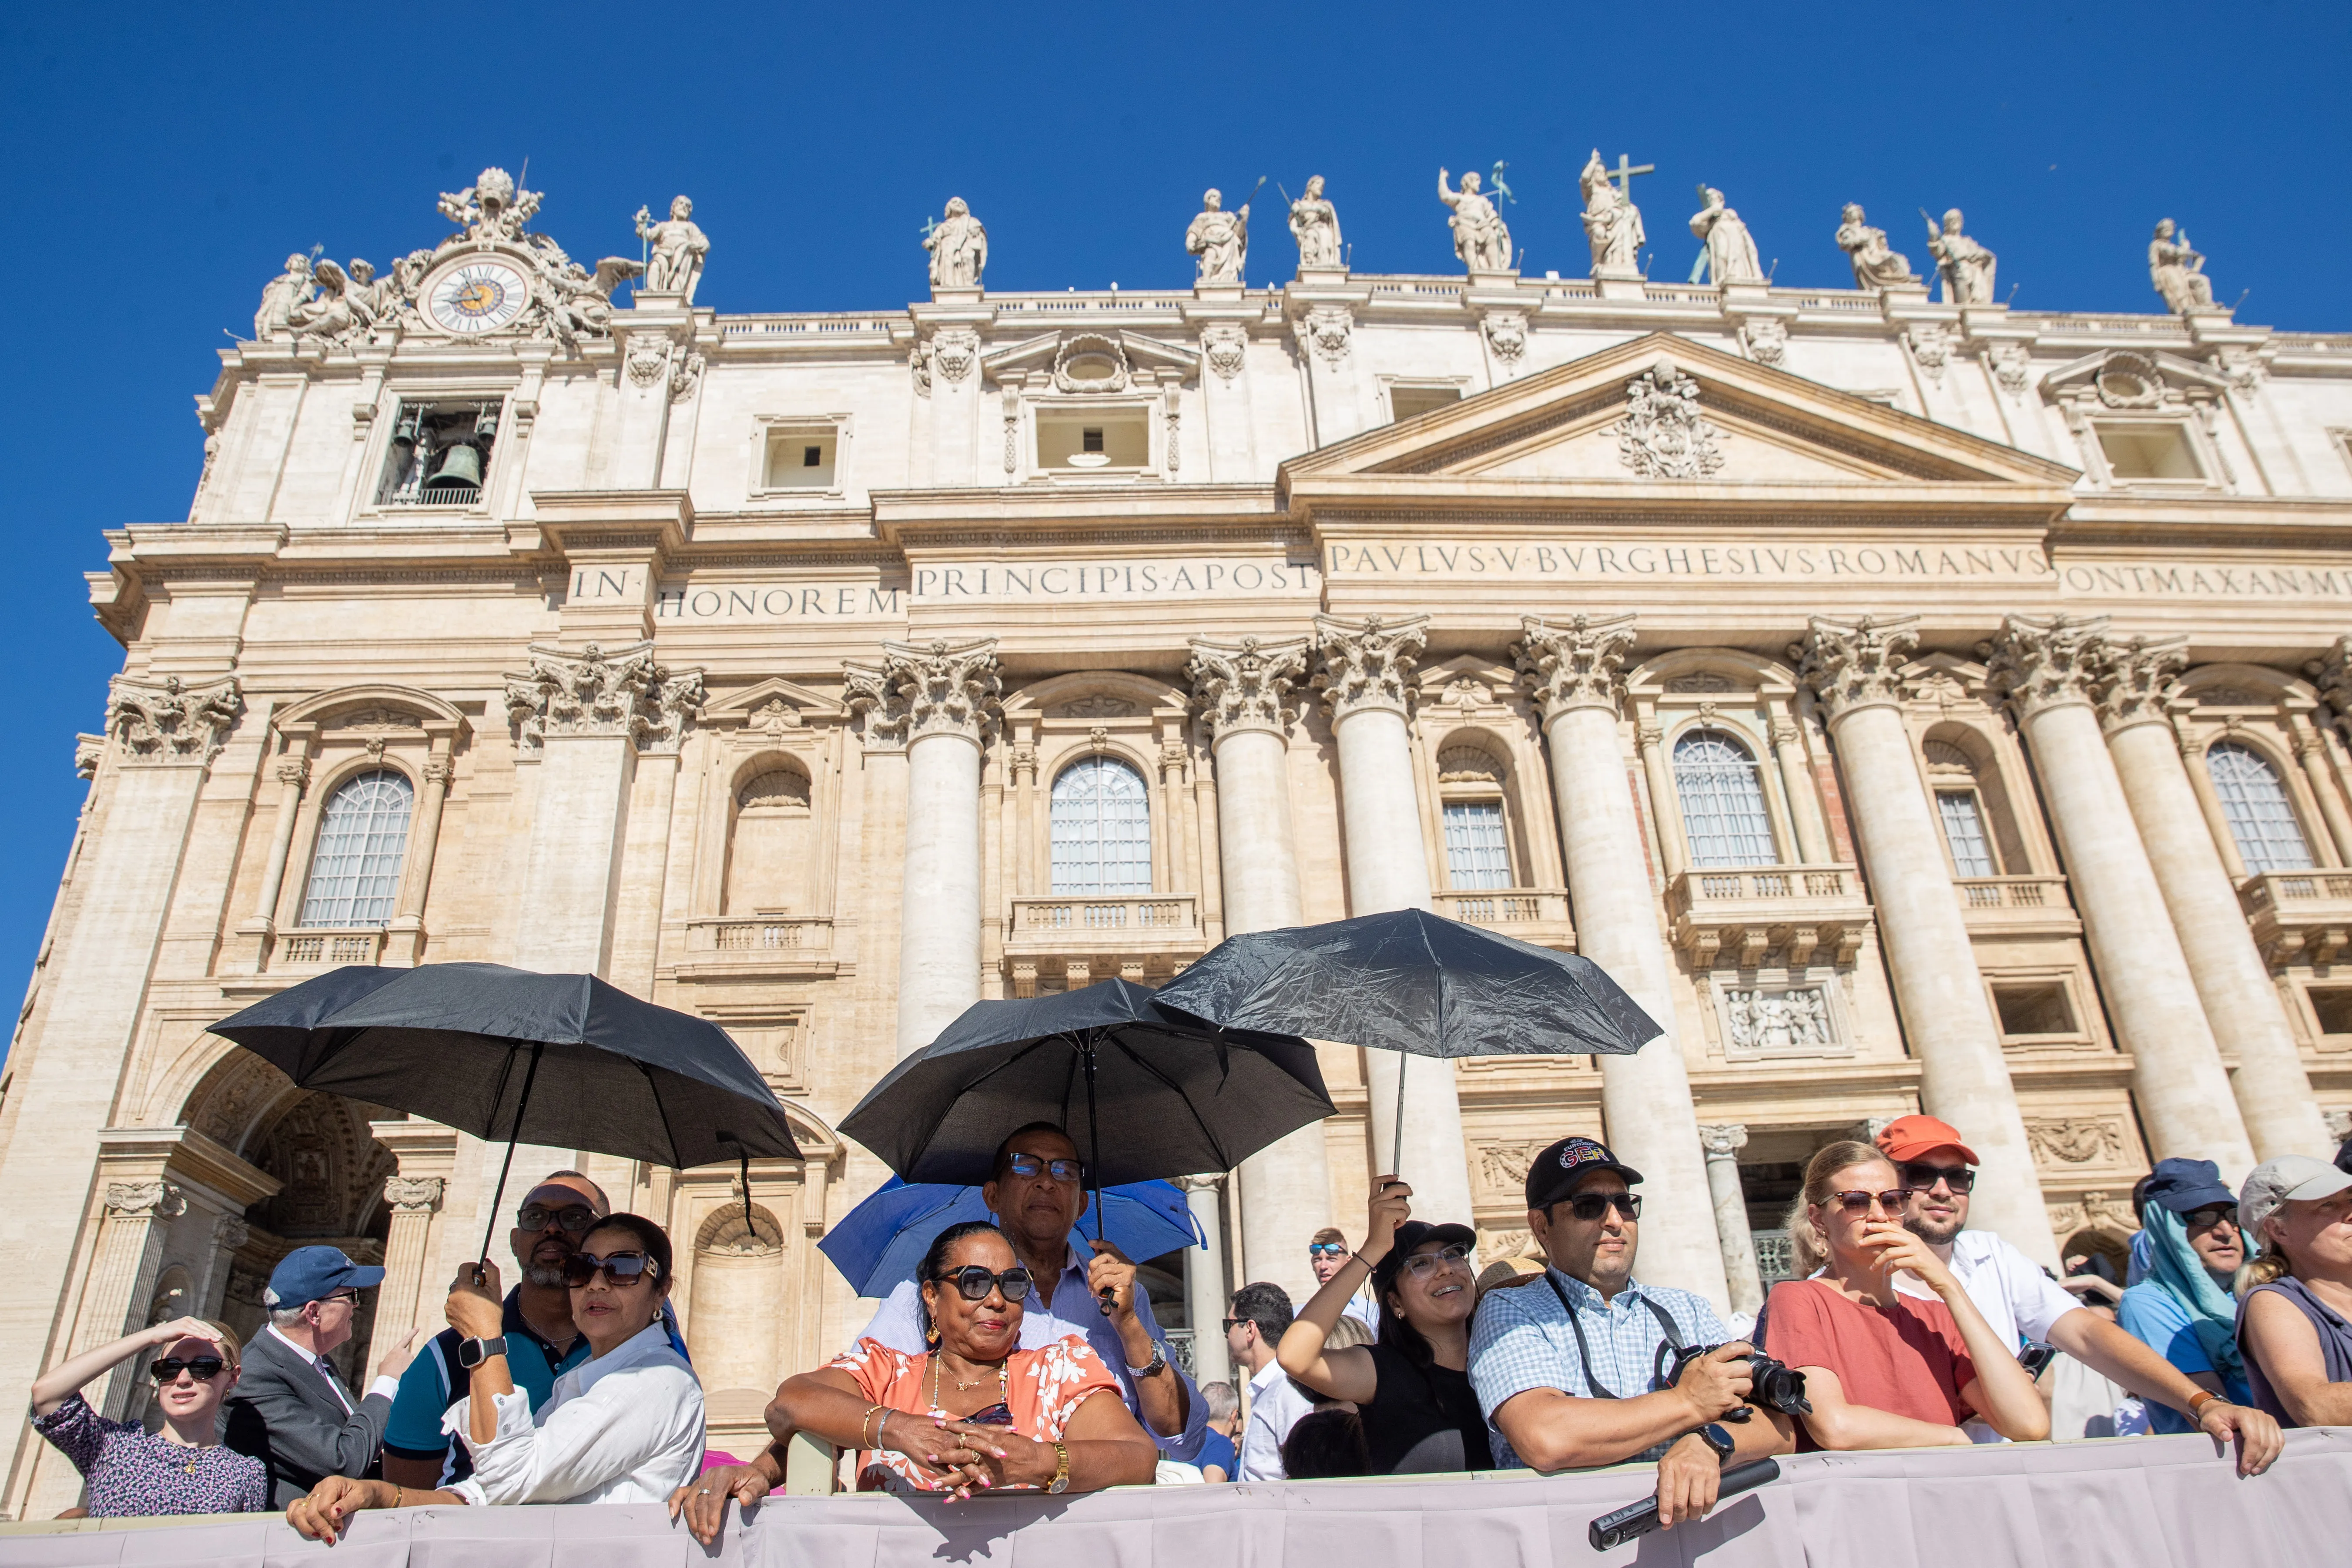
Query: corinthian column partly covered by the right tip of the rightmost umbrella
x,y
1572,674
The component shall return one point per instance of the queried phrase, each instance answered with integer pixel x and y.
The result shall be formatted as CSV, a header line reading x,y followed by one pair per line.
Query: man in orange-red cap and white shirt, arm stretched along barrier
x,y
2024,1304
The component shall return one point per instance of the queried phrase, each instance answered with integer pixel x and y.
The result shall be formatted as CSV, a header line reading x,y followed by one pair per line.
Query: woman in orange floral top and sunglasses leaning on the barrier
x,y
973,1414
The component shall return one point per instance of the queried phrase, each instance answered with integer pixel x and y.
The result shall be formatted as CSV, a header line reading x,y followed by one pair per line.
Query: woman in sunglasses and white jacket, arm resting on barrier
x,y
627,1426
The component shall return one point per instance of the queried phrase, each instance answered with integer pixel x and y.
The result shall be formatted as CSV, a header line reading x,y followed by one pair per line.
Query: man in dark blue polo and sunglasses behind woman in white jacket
x,y
542,1341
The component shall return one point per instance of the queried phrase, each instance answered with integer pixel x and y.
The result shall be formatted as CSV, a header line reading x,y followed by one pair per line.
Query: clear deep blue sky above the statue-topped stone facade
x,y
163,161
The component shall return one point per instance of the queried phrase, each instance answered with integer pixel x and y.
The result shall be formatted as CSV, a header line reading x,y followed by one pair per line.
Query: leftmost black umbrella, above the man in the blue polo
x,y
465,1043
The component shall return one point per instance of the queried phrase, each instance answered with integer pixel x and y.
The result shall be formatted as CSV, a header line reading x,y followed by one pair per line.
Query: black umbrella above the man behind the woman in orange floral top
x,y
1177,1094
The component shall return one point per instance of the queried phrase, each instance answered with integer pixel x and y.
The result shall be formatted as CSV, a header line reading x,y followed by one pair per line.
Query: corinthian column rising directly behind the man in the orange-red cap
x,y
1857,671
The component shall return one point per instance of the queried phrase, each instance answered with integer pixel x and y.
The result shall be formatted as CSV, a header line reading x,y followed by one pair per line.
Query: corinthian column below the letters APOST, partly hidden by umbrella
x,y
1243,692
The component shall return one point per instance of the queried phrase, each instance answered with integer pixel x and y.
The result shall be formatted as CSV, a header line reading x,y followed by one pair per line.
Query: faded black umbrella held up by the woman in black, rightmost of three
x,y
1417,984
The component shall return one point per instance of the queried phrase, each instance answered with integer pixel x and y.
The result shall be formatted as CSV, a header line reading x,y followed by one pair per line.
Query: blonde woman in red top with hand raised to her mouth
x,y
1890,1369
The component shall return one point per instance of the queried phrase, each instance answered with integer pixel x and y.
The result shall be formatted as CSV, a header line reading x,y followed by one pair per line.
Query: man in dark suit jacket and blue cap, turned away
x,y
290,1409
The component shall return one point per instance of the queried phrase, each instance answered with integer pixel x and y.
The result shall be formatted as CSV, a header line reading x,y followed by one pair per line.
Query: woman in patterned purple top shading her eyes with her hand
x,y
180,1470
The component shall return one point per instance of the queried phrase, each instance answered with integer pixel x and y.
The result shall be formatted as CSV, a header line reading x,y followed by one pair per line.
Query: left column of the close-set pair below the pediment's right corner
x,y
2047,669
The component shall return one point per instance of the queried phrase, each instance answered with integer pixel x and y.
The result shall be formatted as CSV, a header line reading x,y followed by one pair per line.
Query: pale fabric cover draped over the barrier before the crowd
x,y
2132,1503
